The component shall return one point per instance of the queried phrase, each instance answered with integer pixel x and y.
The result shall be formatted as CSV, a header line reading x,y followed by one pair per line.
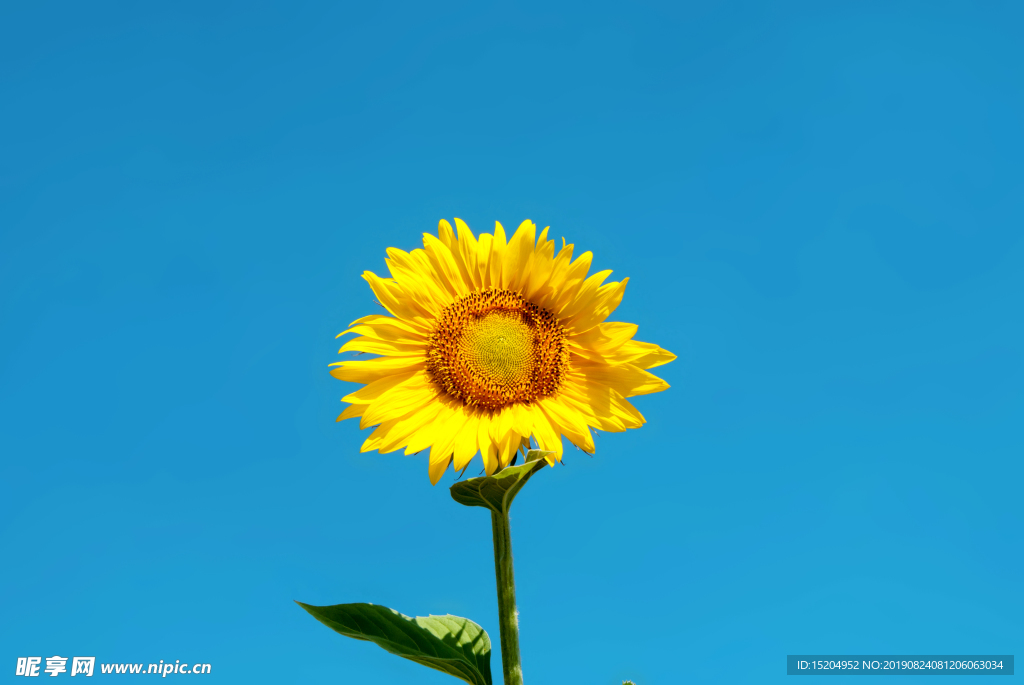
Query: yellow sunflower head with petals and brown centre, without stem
x,y
493,342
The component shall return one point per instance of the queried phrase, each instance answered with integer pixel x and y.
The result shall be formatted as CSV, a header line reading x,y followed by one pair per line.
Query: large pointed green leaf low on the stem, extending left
x,y
456,647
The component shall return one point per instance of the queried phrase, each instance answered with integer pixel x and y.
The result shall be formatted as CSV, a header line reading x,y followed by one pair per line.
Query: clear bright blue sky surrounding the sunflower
x,y
820,207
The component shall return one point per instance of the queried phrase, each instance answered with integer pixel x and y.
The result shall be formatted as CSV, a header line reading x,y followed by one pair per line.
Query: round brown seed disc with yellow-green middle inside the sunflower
x,y
494,349
